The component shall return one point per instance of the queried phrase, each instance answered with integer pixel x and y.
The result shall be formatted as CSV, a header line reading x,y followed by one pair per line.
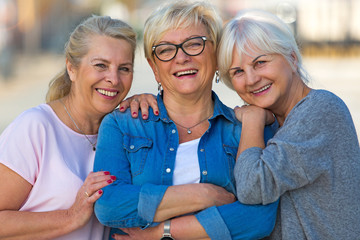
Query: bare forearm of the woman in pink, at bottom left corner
x,y
35,225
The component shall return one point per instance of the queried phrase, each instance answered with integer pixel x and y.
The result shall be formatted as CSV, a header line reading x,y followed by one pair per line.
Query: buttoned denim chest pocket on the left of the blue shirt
x,y
137,149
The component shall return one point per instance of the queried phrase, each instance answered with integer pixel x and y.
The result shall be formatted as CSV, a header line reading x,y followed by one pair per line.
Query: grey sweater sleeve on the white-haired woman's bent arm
x,y
300,152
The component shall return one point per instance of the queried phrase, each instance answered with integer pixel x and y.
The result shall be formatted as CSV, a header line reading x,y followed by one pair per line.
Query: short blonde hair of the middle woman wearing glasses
x,y
178,14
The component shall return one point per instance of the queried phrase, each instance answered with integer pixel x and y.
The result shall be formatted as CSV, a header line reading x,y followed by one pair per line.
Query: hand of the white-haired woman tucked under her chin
x,y
254,112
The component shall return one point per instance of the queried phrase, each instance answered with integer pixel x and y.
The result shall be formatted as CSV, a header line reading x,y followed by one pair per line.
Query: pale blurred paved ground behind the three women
x,y
29,85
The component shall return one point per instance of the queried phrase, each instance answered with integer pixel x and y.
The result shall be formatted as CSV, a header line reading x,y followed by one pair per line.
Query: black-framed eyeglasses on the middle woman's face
x,y
192,47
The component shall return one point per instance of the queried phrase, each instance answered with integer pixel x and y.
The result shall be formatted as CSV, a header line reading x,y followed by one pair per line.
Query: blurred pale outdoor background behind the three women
x,y
33,34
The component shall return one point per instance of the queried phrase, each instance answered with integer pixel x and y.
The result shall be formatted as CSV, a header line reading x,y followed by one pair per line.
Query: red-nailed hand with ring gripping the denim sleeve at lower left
x,y
87,195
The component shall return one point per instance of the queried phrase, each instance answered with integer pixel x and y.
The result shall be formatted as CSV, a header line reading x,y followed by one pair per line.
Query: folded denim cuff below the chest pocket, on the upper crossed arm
x,y
149,200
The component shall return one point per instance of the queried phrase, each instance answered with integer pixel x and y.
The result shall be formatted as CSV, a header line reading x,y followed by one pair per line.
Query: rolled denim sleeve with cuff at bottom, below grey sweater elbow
x,y
238,221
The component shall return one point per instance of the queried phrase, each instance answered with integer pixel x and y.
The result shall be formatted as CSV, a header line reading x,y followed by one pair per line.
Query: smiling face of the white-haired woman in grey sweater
x,y
266,80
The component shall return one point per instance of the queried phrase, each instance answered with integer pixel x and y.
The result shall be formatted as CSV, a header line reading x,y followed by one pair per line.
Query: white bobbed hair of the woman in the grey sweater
x,y
257,30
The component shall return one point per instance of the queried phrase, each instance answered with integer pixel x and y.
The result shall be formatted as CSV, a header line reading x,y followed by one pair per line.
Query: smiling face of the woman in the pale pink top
x,y
104,76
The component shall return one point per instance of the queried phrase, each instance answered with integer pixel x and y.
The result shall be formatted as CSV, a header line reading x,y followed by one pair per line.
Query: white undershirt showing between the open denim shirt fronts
x,y
187,169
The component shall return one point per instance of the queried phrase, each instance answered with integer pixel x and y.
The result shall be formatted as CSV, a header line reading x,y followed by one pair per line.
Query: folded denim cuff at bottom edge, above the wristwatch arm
x,y
211,220
